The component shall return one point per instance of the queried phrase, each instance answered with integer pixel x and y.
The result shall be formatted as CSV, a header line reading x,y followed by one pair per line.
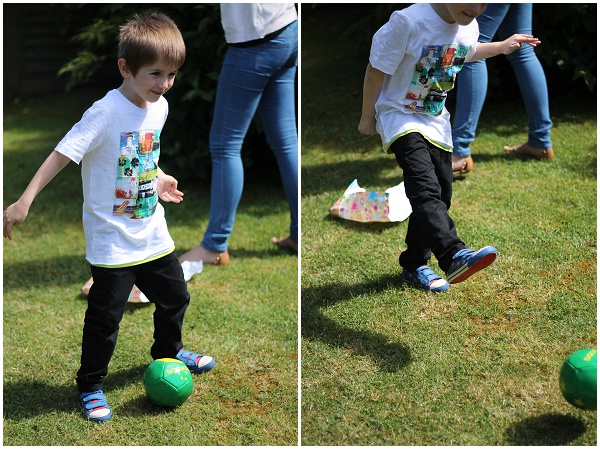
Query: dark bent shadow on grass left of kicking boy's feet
x,y
390,357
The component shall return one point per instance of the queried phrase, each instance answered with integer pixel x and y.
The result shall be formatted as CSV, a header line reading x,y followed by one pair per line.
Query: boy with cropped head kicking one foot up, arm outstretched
x,y
413,62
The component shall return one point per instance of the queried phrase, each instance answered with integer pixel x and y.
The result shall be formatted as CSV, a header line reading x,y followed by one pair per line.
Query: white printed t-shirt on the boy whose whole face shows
x,y
118,146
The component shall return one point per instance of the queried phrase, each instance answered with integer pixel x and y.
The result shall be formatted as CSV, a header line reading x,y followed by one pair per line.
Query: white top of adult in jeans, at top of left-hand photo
x,y
243,22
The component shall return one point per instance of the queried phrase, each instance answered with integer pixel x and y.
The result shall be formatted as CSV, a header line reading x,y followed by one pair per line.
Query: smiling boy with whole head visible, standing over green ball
x,y
127,241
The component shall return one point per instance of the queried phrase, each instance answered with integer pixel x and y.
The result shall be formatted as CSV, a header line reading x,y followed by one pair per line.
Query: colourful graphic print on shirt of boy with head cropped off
x,y
434,76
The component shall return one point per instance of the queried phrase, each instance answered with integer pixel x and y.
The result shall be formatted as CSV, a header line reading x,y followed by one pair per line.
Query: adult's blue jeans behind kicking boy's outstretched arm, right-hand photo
x,y
506,20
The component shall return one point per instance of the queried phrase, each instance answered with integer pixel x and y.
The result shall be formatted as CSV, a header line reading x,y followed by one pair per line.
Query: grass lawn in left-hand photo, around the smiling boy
x,y
245,315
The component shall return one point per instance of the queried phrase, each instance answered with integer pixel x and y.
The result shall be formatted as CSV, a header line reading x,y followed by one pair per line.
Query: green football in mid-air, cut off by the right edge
x,y
578,379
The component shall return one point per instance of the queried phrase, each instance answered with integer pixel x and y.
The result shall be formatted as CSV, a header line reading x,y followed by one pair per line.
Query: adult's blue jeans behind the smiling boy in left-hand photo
x,y
258,79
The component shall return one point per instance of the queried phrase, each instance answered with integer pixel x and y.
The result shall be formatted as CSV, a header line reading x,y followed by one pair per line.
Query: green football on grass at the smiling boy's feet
x,y
168,382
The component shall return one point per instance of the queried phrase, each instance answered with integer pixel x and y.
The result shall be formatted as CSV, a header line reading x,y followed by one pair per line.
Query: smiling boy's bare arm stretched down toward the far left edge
x,y
17,212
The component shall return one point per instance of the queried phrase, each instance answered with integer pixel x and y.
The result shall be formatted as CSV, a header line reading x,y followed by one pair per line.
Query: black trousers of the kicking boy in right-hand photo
x,y
427,172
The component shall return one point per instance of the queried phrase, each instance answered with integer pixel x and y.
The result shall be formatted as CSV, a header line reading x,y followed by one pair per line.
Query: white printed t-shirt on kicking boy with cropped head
x,y
420,54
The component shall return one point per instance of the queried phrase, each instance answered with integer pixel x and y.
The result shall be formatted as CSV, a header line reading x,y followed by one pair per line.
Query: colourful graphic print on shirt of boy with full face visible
x,y
135,192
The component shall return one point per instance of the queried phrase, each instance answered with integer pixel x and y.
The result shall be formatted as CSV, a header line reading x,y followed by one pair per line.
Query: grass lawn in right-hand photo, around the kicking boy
x,y
385,364
